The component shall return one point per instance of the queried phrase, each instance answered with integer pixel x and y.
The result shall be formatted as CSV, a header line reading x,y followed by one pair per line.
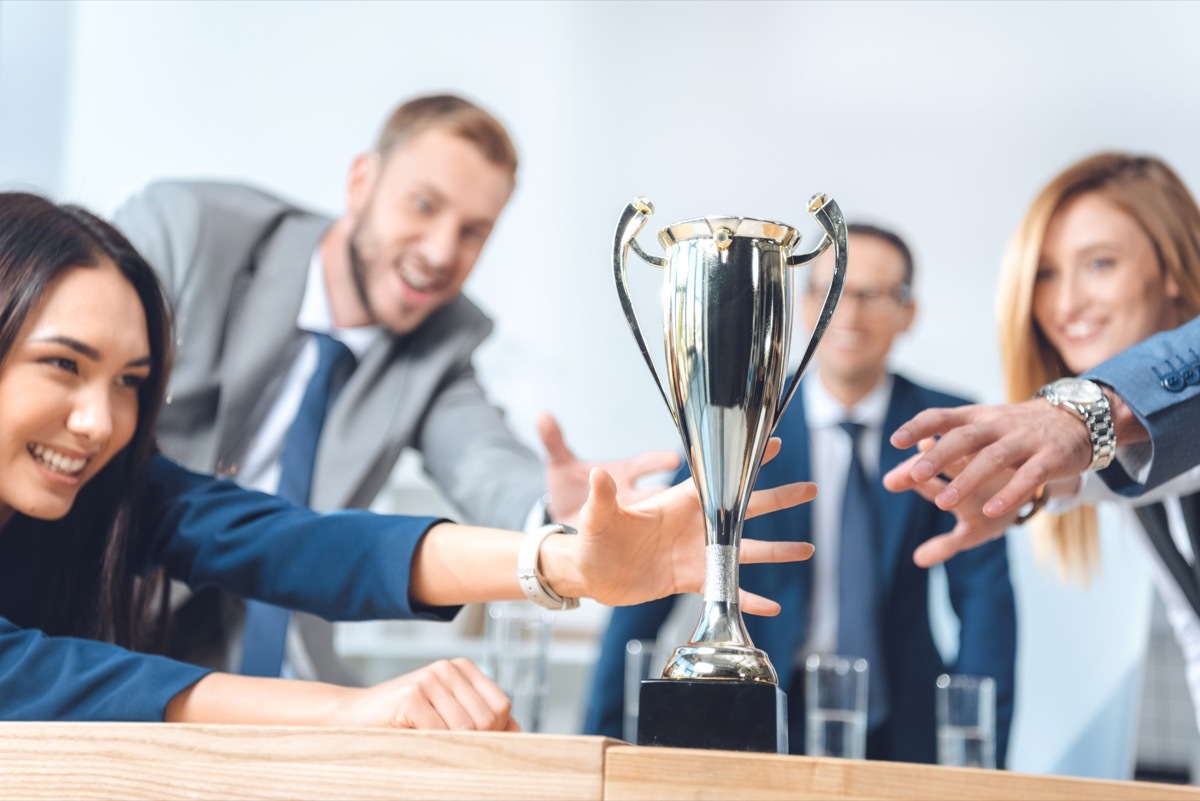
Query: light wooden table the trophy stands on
x,y
149,761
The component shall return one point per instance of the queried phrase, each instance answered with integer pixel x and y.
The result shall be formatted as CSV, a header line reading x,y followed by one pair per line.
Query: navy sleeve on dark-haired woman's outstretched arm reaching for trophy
x,y
351,565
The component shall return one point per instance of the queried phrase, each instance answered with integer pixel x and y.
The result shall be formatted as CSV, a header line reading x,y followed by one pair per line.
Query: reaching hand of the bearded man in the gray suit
x,y
567,477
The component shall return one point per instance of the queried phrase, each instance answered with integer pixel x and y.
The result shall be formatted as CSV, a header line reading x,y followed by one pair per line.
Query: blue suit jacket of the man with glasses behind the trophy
x,y
981,594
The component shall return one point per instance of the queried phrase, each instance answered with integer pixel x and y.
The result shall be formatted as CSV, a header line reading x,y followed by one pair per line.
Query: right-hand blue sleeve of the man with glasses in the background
x,y
982,597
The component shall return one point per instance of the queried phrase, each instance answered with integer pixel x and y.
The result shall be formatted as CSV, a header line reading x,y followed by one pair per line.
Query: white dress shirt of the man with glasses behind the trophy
x,y
830,456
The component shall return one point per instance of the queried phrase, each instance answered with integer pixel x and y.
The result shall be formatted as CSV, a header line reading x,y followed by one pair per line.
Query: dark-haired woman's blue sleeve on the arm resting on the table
x,y
68,679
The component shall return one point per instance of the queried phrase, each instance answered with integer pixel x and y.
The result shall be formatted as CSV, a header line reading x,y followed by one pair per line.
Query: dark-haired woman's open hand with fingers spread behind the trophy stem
x,y
632,555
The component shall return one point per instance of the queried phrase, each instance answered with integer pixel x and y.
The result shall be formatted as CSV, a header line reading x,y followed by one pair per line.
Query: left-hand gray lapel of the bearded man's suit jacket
x,y
261,336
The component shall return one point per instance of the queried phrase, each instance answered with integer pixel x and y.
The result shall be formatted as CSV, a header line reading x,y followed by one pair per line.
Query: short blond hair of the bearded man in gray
x,y
455,116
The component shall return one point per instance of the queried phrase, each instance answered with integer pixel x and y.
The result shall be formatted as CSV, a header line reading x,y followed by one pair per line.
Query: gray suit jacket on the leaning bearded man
x,y
235,262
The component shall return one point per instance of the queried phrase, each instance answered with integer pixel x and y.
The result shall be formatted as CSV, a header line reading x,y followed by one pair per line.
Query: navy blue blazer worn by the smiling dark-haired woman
x,y
206,533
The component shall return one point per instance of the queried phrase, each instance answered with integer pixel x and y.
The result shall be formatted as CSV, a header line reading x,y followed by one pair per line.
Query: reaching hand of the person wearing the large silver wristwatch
x,y
1034,439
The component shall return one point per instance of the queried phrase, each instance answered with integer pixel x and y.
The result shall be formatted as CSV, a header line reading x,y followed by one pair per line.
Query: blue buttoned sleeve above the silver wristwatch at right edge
x,y
1160,381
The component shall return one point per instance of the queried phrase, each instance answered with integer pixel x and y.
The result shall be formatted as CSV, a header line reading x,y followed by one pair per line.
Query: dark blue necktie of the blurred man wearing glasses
x,y
859,580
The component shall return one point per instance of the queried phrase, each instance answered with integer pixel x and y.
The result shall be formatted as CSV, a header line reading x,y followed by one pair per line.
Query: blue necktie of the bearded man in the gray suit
x,y
267,627
